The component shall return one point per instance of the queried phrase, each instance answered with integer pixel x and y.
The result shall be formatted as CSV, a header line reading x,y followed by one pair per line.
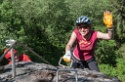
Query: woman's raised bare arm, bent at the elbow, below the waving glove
x,y
105,36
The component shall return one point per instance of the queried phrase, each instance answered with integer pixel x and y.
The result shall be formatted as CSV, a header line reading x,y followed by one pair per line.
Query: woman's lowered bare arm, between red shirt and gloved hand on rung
x,y
70,42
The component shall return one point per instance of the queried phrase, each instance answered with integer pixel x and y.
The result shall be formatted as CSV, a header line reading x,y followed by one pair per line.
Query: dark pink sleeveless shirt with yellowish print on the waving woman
x,y
84,49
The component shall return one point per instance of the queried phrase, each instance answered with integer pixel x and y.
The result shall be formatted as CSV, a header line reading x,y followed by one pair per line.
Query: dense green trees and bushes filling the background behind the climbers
x,y
45,26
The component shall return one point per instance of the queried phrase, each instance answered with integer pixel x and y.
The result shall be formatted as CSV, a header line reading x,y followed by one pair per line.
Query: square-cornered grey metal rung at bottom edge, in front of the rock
x,y
66,69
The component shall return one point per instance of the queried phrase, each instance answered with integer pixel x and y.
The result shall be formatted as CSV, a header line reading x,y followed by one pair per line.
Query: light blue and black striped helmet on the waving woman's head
x,y
83,20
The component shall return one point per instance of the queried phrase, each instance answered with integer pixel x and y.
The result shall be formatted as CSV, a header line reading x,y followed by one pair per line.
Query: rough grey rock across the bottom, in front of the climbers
x,y
40,72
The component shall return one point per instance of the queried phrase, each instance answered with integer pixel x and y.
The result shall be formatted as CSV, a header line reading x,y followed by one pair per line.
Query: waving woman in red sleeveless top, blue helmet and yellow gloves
x,y
86,38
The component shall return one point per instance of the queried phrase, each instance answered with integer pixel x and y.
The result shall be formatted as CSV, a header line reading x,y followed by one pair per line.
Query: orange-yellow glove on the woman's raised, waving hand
x,y
107,19
